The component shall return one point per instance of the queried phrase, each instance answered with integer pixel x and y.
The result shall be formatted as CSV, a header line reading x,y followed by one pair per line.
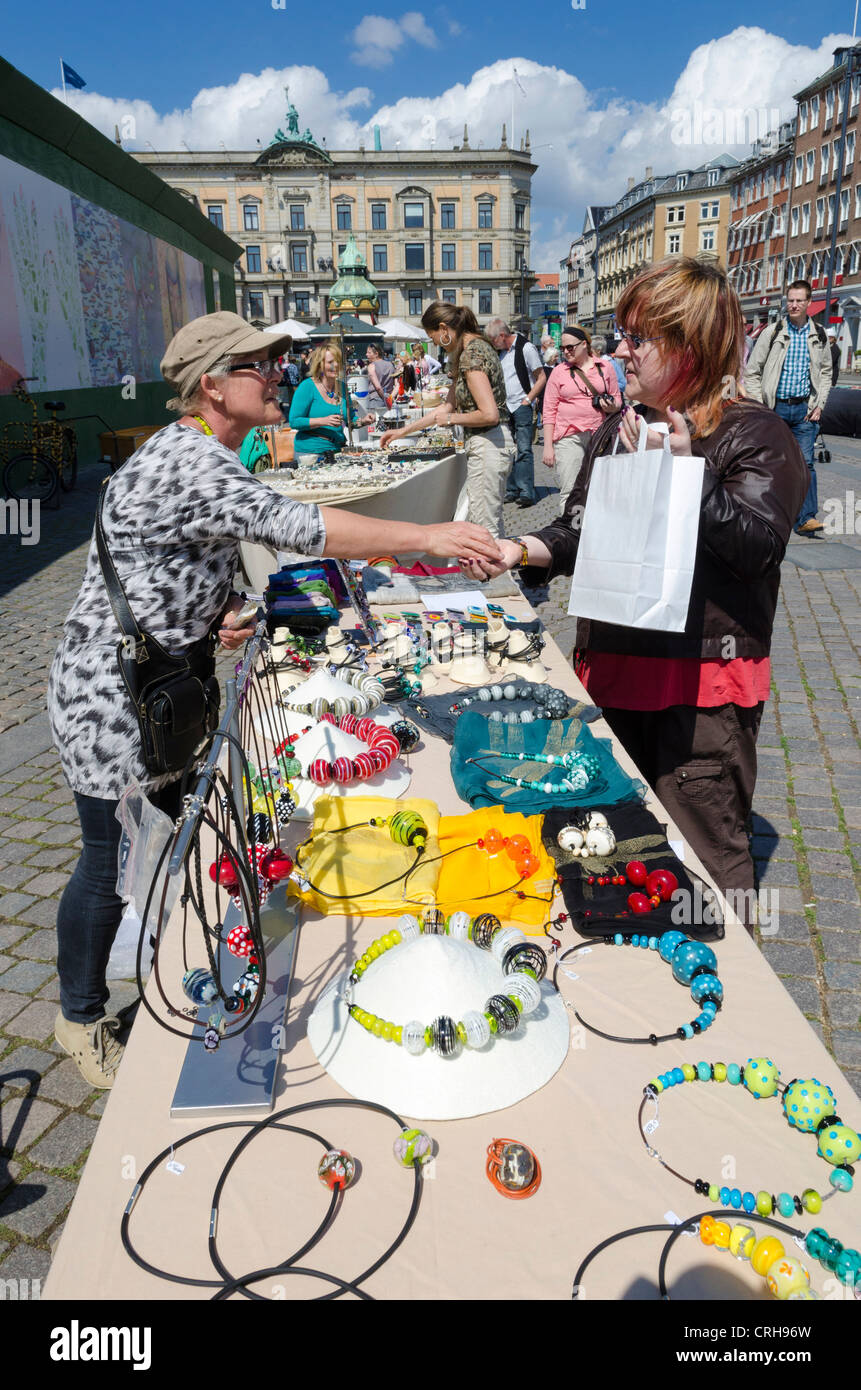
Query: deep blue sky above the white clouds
x,y
636,49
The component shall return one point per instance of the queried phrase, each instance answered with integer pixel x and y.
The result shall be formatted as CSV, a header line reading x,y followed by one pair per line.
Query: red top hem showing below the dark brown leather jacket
x,y
652,683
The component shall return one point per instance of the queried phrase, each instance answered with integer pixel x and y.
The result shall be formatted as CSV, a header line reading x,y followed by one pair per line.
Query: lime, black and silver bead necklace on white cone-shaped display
x,y
521,960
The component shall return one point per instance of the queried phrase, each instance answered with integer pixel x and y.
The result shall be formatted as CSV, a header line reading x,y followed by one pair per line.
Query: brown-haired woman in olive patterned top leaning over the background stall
x,y
478,402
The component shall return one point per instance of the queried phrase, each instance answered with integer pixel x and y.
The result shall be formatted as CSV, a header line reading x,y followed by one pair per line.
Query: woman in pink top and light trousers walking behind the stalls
x,y
574,408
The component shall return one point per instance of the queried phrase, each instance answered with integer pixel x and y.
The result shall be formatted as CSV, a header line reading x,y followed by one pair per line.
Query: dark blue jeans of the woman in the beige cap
x,y
90,911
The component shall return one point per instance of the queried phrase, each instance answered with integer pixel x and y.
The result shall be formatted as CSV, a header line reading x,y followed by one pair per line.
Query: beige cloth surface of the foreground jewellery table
x,y
469,1243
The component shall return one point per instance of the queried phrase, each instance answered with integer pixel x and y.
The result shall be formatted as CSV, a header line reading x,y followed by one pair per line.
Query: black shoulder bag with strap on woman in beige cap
x,y
176,697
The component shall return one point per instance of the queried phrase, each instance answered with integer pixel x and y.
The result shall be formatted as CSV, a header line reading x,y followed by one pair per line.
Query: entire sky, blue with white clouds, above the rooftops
x,y
599,88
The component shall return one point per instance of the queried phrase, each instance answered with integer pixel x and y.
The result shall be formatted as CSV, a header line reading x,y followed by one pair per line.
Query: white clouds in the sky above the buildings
x,y
597,141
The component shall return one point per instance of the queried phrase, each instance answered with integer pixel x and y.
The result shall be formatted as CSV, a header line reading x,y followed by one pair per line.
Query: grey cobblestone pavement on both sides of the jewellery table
x,y
807,833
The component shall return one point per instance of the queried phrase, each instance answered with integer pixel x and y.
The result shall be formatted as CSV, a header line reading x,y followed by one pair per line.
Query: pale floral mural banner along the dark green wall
x,y
86,297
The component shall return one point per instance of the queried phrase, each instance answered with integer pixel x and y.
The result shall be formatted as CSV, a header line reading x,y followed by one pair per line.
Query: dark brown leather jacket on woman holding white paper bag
x,y
753,489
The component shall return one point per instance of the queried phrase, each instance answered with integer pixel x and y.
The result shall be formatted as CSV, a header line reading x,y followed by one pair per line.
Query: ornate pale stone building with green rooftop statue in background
x,y
430,224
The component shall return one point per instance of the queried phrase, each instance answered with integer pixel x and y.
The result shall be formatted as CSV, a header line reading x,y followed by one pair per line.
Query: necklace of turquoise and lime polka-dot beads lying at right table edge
x,y
807,1106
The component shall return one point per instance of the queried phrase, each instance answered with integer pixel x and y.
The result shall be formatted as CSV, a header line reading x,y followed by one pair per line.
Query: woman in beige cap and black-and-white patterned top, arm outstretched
x,y
173,518
